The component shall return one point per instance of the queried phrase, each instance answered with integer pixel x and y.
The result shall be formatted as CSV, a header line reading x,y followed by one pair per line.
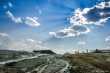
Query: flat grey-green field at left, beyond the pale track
x,y
13,54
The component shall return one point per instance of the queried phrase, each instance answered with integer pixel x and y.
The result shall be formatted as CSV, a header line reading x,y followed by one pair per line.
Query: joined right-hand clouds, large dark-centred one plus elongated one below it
x,y
96,15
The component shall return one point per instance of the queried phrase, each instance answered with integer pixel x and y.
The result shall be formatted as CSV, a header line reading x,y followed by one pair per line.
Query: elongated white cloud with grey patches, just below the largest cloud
x,y
71,31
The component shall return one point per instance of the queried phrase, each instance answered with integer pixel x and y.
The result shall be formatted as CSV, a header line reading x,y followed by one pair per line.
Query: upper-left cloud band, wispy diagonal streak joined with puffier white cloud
x,y
30,21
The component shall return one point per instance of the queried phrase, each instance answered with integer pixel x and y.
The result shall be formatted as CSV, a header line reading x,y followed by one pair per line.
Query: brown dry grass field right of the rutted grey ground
x,y
89,63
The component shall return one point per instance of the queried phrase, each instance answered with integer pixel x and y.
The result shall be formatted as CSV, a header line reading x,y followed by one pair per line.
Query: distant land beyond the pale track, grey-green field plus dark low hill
x,y
13,54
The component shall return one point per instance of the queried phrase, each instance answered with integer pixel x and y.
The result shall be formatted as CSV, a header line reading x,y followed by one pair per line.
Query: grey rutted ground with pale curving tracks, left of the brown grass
x,y
37,63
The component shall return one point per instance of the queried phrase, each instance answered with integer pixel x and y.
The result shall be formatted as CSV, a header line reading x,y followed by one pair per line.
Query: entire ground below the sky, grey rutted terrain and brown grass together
x,y
48,62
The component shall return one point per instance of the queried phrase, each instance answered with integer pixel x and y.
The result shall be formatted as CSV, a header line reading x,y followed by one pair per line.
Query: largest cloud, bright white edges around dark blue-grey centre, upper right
x,y
97,14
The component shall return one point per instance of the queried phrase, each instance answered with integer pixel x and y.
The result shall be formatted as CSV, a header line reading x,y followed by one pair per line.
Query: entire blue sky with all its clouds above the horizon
x,y
59,25
